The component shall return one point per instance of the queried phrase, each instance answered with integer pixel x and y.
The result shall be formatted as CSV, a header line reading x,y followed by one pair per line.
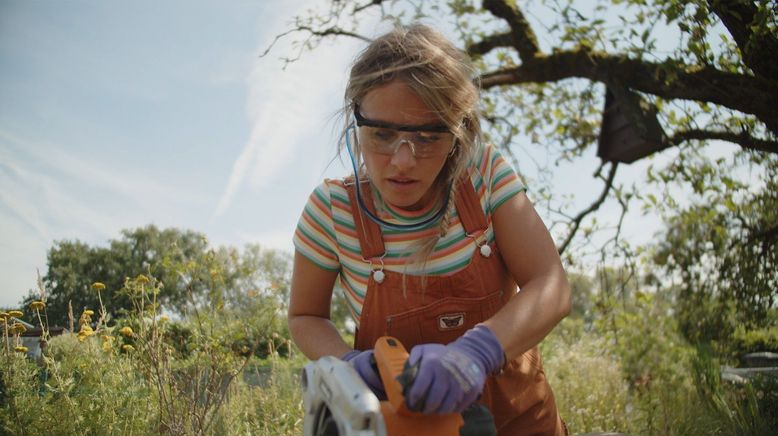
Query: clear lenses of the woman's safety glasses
x,y
386,141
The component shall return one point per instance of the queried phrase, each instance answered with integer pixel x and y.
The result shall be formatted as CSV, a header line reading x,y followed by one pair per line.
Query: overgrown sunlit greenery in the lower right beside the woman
x,y
631,371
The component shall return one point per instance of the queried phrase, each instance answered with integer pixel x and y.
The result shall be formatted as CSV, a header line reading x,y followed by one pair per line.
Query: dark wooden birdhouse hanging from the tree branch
x,y
630,129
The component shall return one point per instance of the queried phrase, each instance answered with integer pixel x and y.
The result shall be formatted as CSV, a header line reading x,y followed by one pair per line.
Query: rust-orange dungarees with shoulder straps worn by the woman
x,y
442,308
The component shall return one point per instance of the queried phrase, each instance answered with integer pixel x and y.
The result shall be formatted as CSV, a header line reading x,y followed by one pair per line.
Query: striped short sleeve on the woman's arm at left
x,y
314,237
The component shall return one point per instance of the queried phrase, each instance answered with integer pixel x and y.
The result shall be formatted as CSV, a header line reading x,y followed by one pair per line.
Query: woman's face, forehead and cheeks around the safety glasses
x,y
403,180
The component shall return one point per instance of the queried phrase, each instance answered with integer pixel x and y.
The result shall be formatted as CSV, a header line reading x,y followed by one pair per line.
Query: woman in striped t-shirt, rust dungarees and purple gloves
x,y
430,238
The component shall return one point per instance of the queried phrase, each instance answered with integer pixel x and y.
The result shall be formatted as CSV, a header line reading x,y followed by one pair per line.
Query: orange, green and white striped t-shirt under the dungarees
x,y
326,234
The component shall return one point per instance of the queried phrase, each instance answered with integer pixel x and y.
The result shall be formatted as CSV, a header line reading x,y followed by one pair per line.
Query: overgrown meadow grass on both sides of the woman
x,y
628,371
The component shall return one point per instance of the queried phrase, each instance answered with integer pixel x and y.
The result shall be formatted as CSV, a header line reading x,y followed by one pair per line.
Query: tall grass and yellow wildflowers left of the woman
x,y
134,376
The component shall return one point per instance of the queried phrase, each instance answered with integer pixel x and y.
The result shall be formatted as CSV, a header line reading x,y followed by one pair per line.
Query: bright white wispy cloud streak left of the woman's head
x,y
283,107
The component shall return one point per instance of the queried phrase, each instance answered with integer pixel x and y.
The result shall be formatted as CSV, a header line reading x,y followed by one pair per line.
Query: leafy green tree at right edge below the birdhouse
x,y
723,255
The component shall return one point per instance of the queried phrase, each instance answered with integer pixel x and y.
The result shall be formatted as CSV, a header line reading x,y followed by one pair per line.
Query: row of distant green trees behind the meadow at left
x,y
193,275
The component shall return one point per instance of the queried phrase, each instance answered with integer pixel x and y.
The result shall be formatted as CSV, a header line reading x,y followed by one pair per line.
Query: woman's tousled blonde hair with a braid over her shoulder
x,y
443,77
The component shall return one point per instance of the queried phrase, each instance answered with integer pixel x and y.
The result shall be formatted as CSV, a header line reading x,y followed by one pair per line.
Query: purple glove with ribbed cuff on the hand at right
x,y
451,377
